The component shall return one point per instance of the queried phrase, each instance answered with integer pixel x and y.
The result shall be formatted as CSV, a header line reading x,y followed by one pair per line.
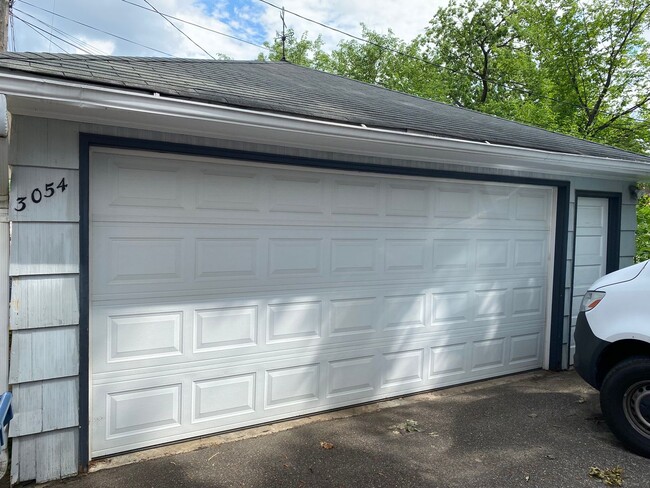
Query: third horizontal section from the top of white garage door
x,y
131,337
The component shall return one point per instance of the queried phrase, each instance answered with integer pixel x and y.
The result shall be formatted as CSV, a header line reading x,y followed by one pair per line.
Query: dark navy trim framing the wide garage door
x,y
86,141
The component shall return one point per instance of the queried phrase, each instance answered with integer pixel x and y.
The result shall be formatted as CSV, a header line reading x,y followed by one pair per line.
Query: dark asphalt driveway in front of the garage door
x,y
538,429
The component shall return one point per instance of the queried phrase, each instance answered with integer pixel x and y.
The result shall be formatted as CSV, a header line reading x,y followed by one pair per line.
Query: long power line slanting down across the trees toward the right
x,y
507,84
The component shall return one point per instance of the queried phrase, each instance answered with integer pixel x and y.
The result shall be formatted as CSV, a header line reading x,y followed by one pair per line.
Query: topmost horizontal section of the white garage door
x,y
192,190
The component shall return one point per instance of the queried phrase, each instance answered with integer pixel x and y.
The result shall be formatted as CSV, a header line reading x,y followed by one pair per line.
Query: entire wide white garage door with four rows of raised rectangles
x,y
225,294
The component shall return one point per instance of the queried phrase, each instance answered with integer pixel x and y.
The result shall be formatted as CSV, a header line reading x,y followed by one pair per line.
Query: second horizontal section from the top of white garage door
x,y
195,259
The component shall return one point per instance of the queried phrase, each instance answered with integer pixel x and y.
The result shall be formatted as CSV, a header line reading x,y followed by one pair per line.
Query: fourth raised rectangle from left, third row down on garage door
x,y
353,316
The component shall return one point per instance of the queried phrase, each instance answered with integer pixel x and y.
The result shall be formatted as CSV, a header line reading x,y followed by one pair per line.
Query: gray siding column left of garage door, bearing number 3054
x,y
44,304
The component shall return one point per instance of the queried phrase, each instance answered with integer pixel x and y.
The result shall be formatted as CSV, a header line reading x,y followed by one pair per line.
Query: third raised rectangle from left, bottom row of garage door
x,y
291,386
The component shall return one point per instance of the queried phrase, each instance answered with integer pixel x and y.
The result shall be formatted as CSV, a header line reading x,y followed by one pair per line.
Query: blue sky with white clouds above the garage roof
x,y
132,28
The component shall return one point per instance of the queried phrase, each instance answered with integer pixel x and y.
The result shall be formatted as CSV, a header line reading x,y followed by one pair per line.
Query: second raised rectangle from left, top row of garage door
x,y
228,190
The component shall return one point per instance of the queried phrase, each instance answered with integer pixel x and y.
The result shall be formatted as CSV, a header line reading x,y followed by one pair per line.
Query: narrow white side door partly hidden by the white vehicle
x,y
590,261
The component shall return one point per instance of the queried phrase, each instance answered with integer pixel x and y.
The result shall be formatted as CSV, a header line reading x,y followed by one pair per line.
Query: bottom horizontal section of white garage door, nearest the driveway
x,y
202,400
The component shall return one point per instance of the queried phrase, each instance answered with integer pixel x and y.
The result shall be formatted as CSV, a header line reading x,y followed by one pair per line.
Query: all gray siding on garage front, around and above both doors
x,y
45,281
